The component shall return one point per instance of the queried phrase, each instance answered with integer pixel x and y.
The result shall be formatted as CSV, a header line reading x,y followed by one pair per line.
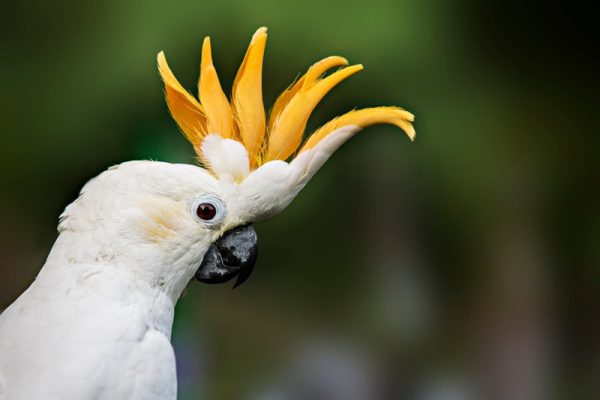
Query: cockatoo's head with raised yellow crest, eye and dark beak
x,y
189,220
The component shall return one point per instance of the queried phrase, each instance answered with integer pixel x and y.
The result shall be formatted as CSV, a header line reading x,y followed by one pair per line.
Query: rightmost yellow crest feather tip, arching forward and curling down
x,y
364,118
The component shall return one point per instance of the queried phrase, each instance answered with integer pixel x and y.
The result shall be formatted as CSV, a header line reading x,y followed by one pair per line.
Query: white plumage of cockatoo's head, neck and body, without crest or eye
x,y
96,322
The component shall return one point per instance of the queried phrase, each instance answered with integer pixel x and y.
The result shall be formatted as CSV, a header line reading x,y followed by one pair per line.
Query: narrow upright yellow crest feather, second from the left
x,y
213,99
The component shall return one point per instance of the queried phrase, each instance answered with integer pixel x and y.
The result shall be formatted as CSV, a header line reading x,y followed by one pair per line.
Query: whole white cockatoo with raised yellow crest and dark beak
x,y
96,322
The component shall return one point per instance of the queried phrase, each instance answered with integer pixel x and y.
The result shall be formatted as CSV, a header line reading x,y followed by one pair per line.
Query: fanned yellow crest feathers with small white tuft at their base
x,y
239,130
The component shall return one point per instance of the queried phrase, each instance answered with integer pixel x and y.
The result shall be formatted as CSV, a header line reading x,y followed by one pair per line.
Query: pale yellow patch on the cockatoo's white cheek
x,y
161,219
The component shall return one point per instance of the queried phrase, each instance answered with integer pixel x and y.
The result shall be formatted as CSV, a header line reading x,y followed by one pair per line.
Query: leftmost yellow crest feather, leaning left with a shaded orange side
x,y
185,109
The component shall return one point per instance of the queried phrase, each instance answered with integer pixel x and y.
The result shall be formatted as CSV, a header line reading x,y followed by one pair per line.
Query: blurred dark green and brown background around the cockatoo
x,y
462,266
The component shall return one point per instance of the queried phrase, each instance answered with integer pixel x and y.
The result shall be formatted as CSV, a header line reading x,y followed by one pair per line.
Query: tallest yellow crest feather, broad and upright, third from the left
x,y
247,98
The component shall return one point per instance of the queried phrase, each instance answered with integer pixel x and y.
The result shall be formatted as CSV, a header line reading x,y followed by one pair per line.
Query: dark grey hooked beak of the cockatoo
x,y
233,254
